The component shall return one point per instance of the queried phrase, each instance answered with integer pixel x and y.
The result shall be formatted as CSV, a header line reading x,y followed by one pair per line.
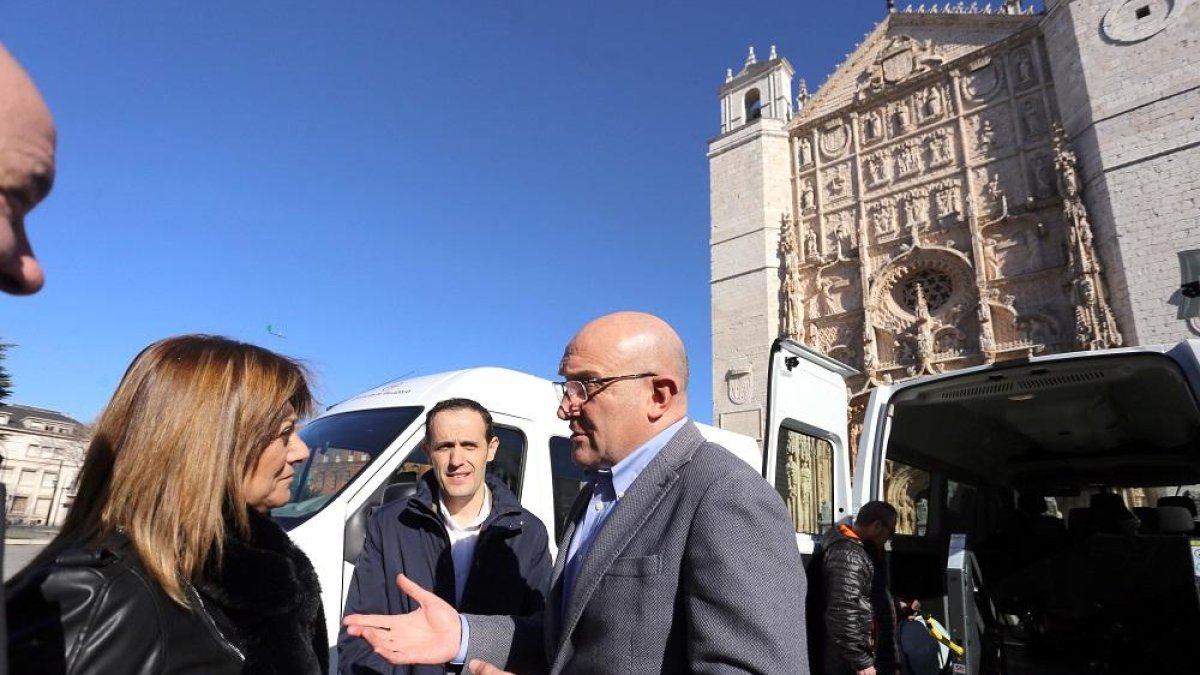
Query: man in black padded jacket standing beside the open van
x,y
854,624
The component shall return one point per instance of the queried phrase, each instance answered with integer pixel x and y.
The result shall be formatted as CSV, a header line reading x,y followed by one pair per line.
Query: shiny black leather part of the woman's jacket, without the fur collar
x,y
97,612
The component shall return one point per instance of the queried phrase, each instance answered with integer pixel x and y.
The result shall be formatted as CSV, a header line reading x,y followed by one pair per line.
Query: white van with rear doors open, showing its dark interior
x,y
1047,506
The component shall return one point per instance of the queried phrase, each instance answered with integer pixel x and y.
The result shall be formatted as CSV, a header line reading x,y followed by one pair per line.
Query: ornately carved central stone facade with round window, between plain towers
x,y
940,211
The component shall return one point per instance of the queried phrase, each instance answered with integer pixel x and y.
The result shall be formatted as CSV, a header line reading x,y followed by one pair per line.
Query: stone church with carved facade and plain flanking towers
x,y
969,187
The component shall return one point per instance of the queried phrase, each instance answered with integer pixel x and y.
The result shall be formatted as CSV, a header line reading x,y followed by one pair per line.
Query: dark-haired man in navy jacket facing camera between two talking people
x,y
464,535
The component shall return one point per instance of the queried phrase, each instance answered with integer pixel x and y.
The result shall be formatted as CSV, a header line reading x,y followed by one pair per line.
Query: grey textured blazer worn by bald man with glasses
x,y
695,571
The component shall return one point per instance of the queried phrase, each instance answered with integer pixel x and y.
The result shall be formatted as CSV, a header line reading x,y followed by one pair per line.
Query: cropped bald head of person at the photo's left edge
x,y
27,171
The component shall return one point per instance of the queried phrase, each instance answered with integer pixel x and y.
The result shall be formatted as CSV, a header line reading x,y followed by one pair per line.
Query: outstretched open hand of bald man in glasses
x,y
430,635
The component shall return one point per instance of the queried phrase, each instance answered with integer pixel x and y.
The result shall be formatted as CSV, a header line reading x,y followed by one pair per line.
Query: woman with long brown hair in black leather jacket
x,y
169,561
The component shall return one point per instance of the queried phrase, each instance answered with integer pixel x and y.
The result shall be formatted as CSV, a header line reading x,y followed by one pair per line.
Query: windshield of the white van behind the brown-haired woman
x,y
343,446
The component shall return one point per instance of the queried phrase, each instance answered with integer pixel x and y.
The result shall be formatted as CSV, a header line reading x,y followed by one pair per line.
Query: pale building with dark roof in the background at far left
x,y
41,453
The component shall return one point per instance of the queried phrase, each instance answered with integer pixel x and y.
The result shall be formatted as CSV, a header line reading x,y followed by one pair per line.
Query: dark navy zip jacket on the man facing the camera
x,y
511,572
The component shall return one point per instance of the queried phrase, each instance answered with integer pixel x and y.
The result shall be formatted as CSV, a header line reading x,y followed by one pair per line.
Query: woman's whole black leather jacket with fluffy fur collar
x,y
95,611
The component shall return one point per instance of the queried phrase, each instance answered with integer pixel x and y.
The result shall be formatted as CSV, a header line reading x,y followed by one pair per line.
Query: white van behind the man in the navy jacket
x,y
367,451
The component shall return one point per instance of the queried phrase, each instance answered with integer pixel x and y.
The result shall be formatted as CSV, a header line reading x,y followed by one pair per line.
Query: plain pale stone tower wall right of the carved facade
x,y
1130,91
